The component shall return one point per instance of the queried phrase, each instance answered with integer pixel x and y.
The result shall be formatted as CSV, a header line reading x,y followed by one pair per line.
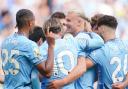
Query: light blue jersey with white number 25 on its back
x,y
19,55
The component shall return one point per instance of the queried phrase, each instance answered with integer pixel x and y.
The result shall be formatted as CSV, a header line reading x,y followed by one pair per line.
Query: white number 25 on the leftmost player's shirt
x,y
10,60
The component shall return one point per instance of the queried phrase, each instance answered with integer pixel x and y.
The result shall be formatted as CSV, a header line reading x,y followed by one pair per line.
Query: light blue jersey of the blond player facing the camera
x,y
86,81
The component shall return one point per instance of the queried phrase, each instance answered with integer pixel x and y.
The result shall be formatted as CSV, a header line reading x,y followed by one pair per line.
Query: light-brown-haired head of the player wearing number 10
x,y
53,25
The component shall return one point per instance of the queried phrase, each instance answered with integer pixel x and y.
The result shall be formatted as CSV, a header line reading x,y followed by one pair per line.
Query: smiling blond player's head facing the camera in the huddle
x,y
75,21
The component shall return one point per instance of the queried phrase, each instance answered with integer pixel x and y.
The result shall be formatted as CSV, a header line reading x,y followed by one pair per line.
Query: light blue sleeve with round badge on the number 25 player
x,y
33,53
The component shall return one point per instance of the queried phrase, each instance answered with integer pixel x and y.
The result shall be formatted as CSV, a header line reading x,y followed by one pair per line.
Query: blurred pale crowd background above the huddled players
x,y
44,8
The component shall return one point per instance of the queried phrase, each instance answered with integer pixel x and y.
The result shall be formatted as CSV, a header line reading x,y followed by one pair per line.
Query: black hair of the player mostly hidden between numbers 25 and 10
x,y
37,34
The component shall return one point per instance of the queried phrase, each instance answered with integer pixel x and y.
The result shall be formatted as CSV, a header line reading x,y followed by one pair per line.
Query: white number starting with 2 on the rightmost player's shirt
x,y
117,60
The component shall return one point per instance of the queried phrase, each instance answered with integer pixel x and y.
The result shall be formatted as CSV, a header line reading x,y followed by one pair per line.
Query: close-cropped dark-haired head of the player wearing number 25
x,y
23,16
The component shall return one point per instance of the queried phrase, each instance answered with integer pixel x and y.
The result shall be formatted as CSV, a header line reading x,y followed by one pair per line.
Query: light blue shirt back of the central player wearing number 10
x,y
65,58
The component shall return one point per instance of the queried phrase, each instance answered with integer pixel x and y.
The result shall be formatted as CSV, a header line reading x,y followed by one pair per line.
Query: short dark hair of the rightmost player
x,y
108,21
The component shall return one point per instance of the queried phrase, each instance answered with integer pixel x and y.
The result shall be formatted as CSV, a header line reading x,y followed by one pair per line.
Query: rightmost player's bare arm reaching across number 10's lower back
x,y
81,67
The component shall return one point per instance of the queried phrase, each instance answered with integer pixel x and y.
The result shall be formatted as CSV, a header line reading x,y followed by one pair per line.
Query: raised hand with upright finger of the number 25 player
x,y
50,37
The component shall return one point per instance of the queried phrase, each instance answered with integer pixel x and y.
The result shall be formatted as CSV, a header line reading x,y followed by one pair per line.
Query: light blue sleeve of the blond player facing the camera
x,y
88,41
